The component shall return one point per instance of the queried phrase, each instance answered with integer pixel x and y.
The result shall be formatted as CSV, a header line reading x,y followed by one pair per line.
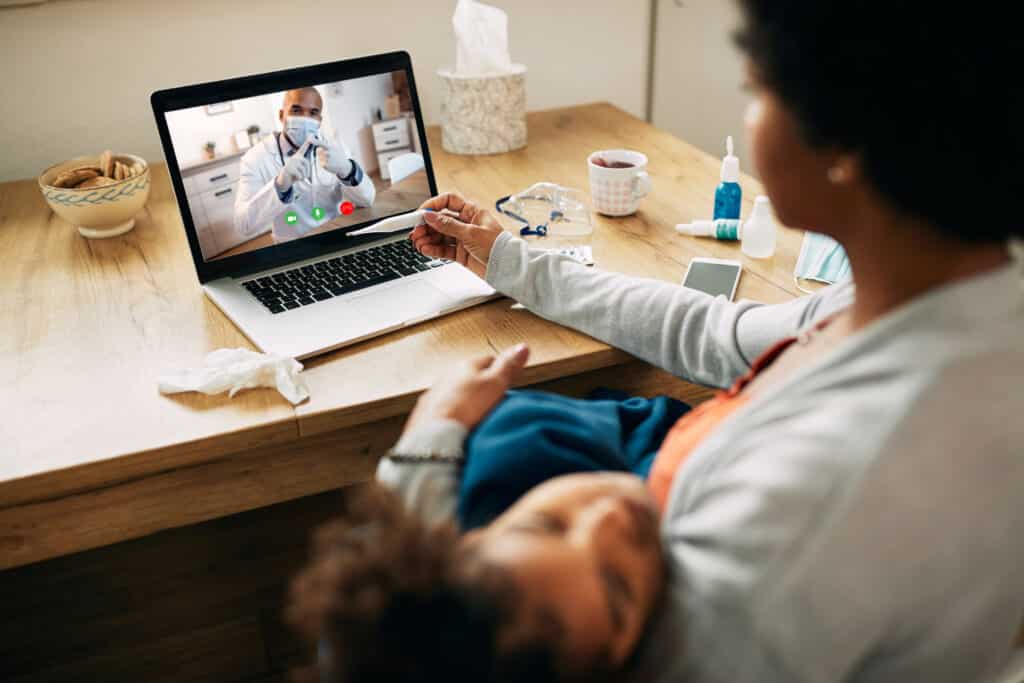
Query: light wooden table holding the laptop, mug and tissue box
x,y
92,455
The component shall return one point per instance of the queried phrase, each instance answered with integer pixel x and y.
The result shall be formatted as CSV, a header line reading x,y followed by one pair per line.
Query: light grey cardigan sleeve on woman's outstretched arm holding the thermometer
x,y
705,339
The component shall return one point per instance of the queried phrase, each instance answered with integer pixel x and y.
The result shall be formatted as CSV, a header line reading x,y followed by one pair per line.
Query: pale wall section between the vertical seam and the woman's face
x,y
699,75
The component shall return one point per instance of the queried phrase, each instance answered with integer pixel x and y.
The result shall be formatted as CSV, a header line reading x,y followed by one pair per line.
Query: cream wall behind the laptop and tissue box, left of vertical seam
x,y
78,74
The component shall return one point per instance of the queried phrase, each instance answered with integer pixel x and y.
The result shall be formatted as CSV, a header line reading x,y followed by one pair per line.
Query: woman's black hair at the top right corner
x,y
926,93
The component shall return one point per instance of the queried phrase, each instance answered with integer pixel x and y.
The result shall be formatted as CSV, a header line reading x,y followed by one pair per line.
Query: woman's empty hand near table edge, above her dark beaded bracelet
x,y
471,393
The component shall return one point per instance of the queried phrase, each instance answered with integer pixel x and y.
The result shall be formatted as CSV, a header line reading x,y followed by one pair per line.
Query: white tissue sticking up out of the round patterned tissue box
x,y
482,39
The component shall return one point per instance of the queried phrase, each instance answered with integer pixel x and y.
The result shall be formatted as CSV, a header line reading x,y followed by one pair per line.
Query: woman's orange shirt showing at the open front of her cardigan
x,y
688,434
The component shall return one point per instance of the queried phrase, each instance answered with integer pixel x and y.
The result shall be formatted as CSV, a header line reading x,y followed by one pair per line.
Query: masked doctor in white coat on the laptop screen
x,y
296,181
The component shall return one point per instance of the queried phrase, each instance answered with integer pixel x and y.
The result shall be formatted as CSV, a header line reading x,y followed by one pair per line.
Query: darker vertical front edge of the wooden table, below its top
x,y
259,477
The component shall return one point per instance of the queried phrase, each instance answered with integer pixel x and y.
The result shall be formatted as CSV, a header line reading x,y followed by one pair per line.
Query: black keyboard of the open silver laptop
x,y
307,285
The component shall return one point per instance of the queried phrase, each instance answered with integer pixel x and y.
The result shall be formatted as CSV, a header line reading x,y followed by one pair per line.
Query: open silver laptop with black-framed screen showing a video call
x,y
286,255
